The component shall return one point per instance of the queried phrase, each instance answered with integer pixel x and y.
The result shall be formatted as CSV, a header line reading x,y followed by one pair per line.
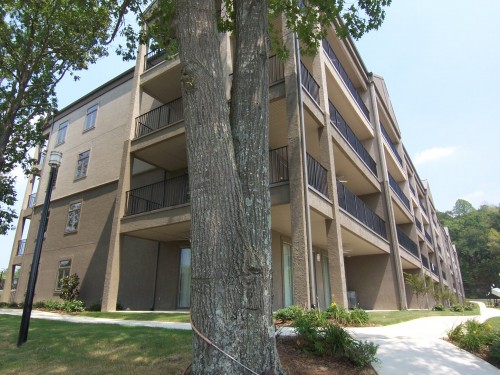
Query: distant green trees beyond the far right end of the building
x,y
476,234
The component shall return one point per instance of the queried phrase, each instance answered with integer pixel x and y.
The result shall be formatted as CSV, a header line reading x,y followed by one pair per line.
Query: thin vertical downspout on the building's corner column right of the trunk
x,y
312,278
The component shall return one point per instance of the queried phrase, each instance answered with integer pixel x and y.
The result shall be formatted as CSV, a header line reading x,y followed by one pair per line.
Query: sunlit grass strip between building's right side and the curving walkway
x,y
385,318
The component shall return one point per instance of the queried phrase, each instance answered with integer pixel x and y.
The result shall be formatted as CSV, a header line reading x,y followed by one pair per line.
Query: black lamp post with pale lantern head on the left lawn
x,y
54,163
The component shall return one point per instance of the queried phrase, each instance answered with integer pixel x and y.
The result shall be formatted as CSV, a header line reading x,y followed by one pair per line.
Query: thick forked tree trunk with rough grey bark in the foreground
x,y
230,239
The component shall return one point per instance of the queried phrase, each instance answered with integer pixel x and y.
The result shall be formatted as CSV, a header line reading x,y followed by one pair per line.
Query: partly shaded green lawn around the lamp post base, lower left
x,y
55,347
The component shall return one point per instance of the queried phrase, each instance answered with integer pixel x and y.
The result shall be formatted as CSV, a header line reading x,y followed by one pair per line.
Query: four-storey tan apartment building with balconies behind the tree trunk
x,y
350,214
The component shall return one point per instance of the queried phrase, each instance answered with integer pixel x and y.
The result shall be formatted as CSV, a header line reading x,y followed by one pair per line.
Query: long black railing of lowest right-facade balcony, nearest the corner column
x,y
357,208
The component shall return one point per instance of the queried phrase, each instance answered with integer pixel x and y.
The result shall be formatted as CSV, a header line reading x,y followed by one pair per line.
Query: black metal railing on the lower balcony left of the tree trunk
x,y
167,193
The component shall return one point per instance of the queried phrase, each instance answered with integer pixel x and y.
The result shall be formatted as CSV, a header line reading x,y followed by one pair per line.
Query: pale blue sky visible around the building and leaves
x,y
440,60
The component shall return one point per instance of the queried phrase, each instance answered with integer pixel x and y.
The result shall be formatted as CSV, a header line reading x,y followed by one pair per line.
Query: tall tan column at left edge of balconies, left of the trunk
x,y
112,276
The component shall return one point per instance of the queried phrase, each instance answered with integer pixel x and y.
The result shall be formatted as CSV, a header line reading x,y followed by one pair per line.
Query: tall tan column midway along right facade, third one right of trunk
x,y
386,195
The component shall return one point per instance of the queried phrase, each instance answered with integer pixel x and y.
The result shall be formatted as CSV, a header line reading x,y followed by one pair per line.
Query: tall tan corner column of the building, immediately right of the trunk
x,y
300,261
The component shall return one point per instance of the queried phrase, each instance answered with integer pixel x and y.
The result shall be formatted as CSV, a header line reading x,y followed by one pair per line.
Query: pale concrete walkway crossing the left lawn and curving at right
x,y
414,347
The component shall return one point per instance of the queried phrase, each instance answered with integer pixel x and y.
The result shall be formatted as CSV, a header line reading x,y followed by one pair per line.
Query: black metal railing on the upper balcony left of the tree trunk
x,y
160,117
